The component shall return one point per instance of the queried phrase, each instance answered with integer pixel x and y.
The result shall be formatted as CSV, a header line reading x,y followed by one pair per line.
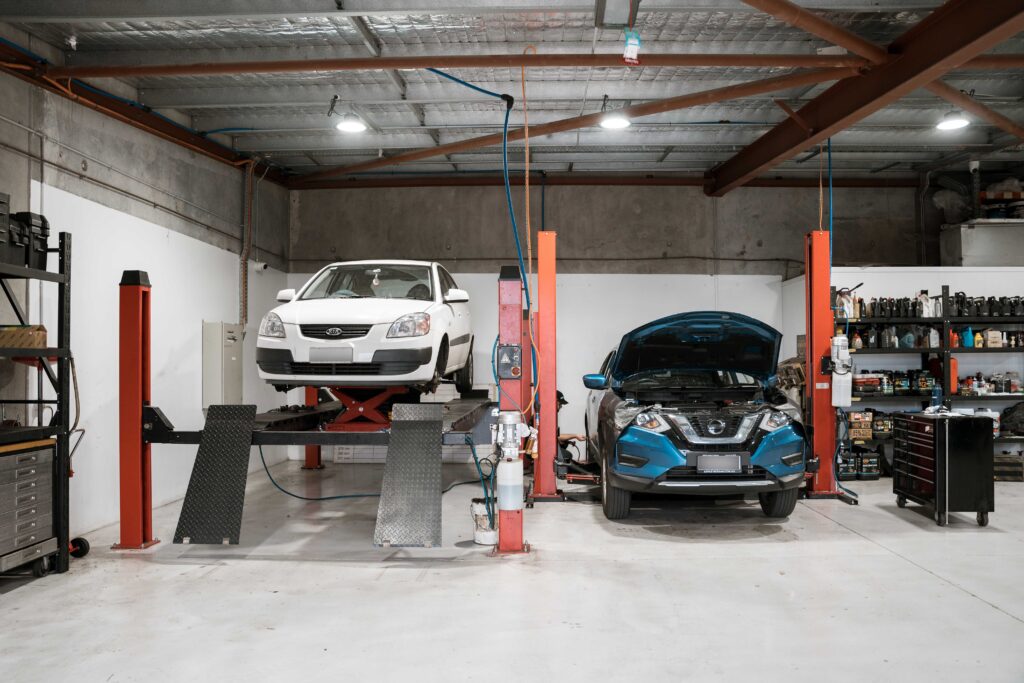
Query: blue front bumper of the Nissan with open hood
x,y
660,466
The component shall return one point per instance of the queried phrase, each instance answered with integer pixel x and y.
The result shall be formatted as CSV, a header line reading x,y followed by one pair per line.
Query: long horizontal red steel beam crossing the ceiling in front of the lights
x,y
497,62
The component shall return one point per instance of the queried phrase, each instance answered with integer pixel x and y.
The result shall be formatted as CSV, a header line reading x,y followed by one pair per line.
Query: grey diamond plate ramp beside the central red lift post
x,y
410,509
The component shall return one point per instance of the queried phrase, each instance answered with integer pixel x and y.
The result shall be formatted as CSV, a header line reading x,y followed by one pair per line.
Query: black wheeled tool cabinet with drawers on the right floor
x,y
945,462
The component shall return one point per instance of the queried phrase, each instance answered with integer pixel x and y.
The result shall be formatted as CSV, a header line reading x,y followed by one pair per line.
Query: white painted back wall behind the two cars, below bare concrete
x,y
595,311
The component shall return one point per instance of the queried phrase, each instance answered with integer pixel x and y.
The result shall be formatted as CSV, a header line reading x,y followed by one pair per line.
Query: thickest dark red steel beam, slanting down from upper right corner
x,y
961,33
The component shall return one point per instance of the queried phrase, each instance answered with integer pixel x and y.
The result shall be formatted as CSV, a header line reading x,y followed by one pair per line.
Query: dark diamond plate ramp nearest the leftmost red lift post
x,y
212,511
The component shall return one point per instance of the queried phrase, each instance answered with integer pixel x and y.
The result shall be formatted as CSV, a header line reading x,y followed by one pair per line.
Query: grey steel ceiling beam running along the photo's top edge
x,y
95,12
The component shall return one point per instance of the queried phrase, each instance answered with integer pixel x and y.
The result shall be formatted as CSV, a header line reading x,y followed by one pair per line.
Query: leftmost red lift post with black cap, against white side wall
x,y
137,469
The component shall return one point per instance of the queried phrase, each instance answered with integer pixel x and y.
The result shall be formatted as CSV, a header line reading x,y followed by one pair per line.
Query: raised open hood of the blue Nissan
x,y
703,340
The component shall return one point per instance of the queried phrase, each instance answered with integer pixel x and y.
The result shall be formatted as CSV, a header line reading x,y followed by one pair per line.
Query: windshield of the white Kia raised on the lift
x,y
383,281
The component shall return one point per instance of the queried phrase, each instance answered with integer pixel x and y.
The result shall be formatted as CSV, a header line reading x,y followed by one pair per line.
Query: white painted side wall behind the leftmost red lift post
x,y
192,282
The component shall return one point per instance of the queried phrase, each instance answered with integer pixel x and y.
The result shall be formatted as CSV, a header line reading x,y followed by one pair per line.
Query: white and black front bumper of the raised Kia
x,y
370,361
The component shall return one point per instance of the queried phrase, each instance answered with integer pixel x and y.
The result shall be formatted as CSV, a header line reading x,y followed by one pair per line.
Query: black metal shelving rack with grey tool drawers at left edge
x,y
35,460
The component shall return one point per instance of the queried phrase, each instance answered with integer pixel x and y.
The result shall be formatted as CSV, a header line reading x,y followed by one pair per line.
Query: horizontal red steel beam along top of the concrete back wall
x,y
586,180
